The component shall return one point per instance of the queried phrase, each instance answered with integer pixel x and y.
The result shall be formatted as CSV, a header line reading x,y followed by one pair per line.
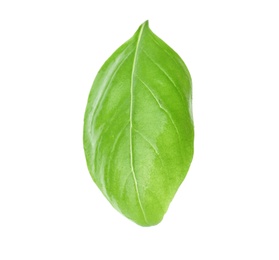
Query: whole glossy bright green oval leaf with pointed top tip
x,y
138,127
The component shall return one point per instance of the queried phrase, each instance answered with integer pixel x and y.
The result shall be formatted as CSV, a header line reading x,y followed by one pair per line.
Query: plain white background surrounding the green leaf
x,y
228,205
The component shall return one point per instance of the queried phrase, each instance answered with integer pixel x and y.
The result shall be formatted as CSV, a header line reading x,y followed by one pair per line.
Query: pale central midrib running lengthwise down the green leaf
x,y
131,120
